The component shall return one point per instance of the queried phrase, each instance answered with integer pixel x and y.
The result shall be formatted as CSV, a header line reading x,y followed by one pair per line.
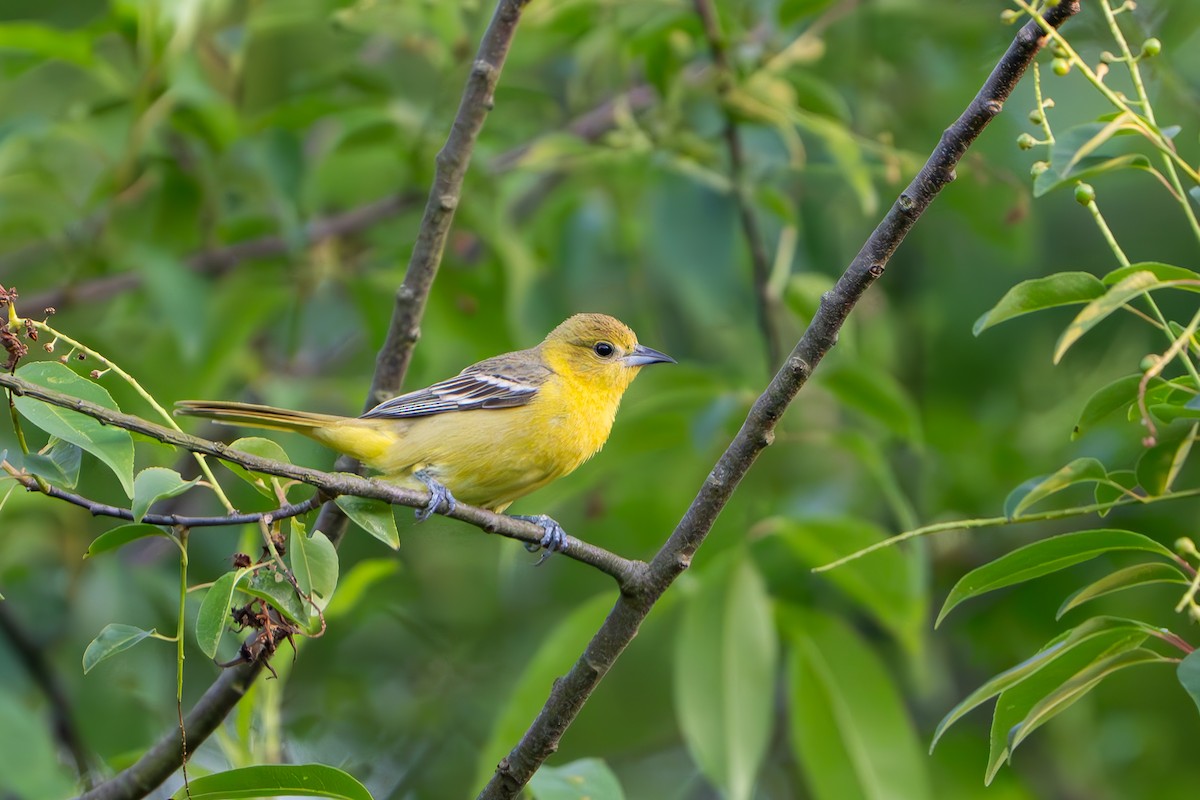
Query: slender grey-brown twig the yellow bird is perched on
x,y
332,485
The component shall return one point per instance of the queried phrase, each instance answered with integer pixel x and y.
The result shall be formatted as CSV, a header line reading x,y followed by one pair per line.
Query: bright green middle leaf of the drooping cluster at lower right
x,y
1017,702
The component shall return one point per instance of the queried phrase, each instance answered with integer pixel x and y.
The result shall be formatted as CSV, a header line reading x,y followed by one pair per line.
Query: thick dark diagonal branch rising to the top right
x,y
571,693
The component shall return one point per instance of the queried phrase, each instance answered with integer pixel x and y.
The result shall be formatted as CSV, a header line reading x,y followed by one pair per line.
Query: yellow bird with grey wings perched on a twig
x,y
495,432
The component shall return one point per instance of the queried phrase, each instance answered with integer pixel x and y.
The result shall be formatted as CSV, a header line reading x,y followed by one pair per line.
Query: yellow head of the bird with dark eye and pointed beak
x,y
599,350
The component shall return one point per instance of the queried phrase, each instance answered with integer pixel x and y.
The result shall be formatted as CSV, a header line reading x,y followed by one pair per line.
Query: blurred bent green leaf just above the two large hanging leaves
x,y
889,585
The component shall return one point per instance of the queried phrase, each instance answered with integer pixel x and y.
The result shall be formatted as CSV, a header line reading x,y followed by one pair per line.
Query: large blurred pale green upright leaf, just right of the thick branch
x,y
725,676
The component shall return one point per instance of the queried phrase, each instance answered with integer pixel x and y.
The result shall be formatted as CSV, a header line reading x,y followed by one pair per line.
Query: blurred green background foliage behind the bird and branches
x,y
139,134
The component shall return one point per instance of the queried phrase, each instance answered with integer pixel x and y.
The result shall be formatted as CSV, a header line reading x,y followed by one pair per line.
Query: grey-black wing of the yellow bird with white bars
x,y
505,382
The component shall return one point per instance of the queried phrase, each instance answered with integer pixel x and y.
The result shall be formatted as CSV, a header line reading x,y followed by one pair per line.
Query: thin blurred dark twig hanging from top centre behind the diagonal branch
x,y
760,261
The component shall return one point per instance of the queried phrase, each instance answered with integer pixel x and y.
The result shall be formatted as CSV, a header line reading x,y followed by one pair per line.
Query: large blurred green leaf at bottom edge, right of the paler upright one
x,y
849,724
